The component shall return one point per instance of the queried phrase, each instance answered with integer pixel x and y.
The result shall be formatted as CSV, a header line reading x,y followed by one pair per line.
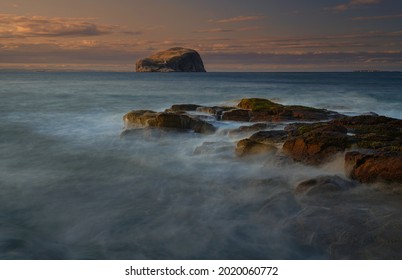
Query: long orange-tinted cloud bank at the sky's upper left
x,y
13,26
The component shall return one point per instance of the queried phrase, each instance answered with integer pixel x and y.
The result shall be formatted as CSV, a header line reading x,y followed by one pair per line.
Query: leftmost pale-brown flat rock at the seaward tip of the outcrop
x,y
146,118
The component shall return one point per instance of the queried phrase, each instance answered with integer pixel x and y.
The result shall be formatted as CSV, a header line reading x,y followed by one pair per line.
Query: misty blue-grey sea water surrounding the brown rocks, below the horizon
x,y
72,188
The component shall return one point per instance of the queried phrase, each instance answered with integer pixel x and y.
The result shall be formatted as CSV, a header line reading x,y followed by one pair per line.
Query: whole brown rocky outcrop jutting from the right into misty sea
x,y
371,144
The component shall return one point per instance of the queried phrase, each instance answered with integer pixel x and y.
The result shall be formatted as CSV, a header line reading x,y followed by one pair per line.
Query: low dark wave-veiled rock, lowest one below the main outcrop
x,y
323,185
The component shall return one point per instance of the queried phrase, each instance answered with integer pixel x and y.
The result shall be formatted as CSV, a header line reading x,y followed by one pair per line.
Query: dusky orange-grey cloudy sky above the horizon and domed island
x,y
250,35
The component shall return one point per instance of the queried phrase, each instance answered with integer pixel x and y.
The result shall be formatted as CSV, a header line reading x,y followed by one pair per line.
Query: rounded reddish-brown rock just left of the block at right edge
x,y
316,143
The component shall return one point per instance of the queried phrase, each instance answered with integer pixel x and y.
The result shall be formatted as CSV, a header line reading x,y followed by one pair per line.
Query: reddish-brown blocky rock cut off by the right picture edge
x,y
374,167
